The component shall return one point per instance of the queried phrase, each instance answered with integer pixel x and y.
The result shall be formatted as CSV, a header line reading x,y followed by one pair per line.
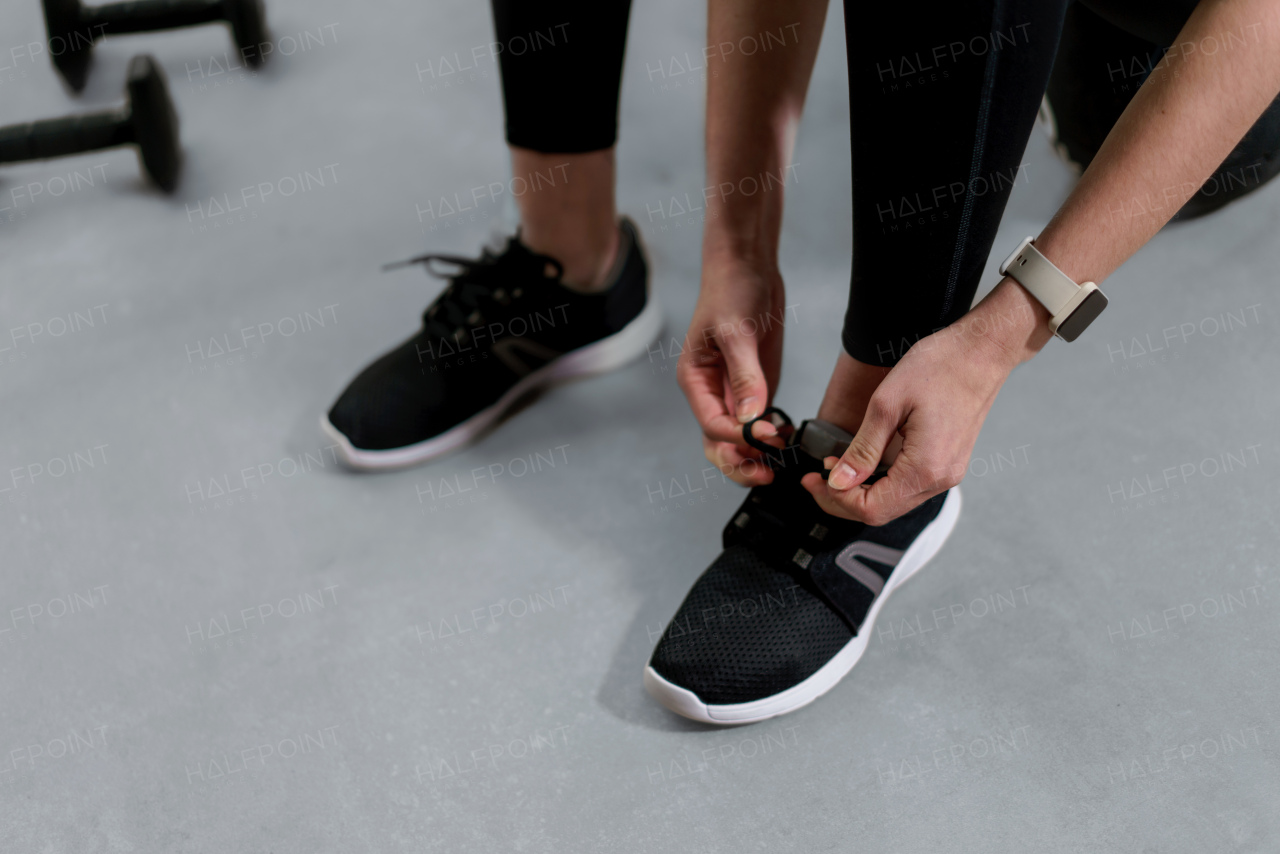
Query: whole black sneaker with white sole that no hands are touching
x,y
502,327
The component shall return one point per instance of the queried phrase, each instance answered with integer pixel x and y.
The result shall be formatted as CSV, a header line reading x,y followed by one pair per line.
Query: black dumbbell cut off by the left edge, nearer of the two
x,y
147,120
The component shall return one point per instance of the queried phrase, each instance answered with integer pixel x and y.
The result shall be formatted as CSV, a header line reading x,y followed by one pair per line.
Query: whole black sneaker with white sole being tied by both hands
x,y
788,608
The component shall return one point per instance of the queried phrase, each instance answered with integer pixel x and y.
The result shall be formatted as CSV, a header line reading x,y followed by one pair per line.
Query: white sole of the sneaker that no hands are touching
x,y
598,358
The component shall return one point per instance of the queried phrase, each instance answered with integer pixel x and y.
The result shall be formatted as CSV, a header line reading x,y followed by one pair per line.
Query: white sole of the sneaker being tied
x,y
684,702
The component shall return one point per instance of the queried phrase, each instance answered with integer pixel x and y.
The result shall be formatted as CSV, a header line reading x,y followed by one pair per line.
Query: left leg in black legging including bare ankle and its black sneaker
x,y
554,303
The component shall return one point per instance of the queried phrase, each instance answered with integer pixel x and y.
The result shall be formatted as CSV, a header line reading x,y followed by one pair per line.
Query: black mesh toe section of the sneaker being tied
x,y
747,632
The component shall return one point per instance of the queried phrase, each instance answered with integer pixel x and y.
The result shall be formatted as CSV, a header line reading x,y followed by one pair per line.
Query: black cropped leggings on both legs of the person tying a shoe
x,y
943,101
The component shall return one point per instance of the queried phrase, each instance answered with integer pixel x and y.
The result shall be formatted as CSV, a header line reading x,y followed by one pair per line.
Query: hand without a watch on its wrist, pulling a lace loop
x,y
732,362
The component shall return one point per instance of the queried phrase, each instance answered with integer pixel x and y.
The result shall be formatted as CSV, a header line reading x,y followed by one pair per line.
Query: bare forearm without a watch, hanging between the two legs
x,y
753,108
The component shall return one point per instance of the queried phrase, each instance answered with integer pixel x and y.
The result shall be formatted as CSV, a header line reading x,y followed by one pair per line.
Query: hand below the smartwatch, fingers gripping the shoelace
x,y
936,399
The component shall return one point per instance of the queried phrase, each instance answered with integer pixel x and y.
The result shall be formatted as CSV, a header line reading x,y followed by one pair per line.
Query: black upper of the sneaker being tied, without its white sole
x,y
748,631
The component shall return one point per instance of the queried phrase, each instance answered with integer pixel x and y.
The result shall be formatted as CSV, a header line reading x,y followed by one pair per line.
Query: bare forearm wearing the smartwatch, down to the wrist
x,y
1180,127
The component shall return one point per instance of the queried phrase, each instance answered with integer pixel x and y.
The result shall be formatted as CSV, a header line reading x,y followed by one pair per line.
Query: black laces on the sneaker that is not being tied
x,y
476,286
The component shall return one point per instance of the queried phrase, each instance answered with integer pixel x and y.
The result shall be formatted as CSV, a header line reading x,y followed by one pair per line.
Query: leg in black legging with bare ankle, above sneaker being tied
x,y
941,112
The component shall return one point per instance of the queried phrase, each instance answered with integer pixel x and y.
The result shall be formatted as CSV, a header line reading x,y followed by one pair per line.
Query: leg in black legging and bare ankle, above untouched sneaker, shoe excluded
x,y
561,72
